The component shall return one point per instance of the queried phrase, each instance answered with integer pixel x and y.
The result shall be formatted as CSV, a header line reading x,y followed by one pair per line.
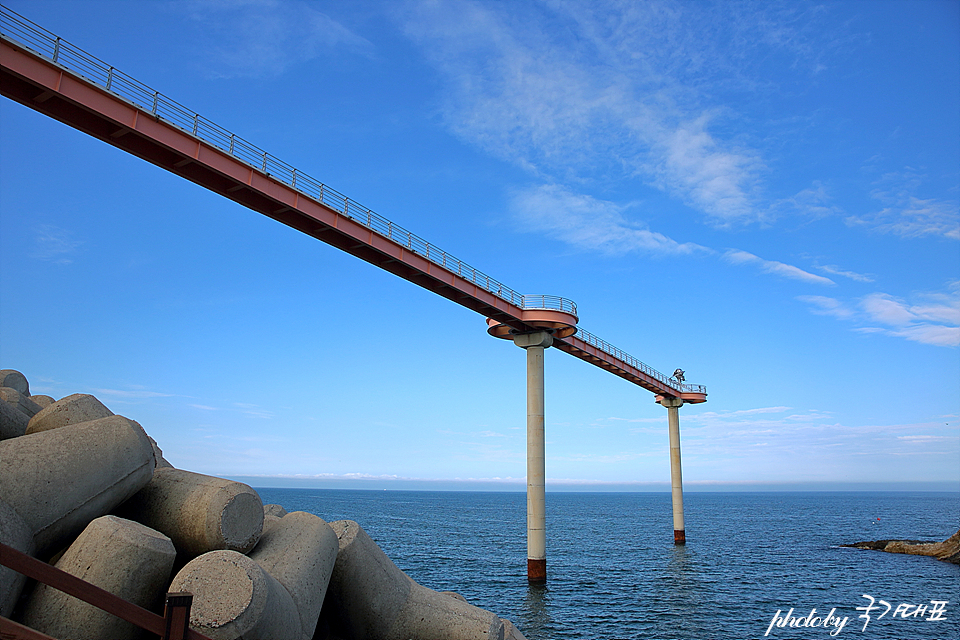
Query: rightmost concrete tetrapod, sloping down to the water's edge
x,y
374,600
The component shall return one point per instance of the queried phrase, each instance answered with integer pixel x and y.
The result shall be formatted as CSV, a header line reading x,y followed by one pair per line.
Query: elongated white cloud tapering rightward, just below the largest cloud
x,y
589,223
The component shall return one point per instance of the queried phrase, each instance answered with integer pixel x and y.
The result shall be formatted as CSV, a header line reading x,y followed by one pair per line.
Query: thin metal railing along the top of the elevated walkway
x,y
18,29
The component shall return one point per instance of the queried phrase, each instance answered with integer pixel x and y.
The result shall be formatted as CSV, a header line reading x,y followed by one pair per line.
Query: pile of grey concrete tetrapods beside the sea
x,y
90,492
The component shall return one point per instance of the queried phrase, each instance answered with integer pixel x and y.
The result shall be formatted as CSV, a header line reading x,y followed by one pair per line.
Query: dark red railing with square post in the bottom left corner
x,y
173,625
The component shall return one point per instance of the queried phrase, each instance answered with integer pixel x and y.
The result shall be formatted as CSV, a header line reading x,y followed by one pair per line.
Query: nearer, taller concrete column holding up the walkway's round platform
x,y
535,344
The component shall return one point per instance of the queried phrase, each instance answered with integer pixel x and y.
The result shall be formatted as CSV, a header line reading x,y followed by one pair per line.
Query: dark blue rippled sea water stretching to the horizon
x,y
613,571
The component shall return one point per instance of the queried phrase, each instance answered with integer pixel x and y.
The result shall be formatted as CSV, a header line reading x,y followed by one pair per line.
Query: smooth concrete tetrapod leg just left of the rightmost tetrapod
x,y
299,550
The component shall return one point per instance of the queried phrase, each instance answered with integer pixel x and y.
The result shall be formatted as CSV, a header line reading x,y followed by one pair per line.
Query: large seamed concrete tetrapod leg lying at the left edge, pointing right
x,y
60,480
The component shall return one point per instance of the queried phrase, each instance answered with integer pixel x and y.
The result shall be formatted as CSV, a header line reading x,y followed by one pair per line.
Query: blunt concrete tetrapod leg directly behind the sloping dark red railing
x,y
123,557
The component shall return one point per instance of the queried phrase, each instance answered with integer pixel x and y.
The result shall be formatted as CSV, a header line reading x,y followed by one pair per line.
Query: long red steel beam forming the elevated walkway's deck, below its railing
x,y
48,88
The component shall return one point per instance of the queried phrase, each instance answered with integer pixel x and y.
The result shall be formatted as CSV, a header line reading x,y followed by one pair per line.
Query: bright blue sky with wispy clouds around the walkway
x,y
764,194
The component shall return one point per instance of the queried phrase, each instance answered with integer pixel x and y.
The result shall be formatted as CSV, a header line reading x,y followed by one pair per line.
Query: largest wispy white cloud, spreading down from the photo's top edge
x,y
617,90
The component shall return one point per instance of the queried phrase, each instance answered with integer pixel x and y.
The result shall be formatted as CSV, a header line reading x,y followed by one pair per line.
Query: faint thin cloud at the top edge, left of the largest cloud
x,y
264,38
